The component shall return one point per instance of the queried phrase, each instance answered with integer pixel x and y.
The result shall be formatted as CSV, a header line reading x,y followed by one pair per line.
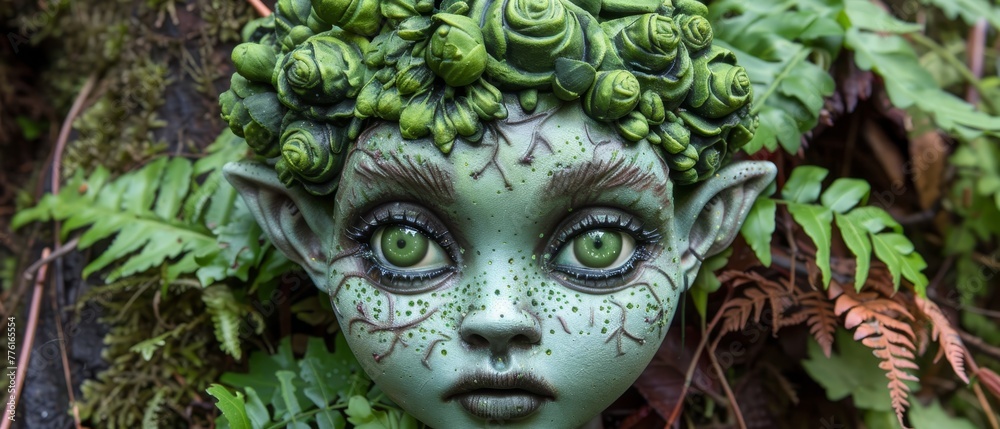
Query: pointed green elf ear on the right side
x,y
711,214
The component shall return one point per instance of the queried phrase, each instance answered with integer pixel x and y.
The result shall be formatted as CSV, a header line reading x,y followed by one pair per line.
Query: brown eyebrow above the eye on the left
x,y
425,179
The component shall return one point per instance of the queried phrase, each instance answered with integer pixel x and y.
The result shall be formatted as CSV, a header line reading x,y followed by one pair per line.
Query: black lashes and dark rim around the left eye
x,y
406,215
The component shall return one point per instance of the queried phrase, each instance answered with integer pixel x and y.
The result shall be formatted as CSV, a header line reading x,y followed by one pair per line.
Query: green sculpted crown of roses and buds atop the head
x,y
315,72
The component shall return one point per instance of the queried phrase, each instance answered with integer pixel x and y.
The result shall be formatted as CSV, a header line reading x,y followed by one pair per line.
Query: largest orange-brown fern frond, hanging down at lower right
x,y
882,324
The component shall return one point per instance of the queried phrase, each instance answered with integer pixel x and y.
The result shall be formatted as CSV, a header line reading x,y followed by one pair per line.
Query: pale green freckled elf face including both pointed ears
x,y
525,280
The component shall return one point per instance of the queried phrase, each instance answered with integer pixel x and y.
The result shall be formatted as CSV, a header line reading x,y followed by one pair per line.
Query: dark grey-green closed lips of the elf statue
x,y
501,396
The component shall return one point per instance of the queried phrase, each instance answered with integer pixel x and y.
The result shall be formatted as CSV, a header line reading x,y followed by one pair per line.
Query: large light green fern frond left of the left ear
x,y
139,208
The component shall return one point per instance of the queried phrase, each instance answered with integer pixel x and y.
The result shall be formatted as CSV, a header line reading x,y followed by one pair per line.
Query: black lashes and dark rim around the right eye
x,y
645,239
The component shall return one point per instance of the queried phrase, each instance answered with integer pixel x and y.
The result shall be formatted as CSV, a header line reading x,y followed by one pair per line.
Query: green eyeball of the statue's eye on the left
x,y
407,250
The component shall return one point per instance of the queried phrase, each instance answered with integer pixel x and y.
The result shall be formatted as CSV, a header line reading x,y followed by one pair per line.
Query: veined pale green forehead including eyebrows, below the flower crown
x,y
550,155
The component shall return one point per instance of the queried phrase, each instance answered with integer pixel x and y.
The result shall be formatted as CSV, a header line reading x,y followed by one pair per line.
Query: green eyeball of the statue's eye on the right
x,y
597,249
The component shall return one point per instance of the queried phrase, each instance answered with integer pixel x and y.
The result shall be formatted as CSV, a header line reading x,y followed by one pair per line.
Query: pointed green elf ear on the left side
x,y
296,222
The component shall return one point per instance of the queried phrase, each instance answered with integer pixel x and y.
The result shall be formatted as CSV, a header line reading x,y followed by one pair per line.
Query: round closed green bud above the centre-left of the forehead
x,y
456,51
